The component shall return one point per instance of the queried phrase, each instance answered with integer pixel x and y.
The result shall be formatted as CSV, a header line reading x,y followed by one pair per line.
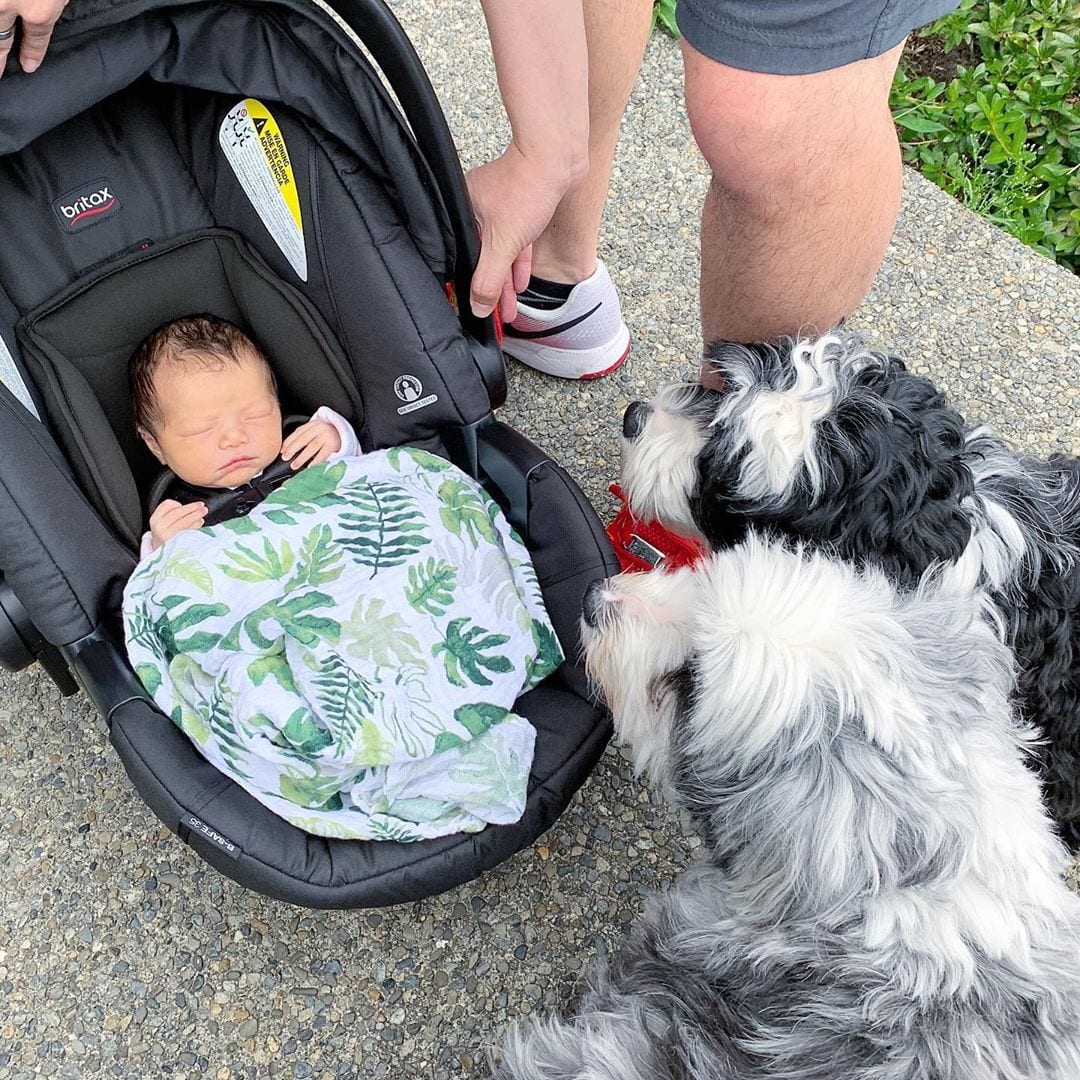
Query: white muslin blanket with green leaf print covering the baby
x,y
352,651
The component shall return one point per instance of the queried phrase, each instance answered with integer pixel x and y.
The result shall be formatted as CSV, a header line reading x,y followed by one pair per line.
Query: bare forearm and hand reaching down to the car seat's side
x,y
543,64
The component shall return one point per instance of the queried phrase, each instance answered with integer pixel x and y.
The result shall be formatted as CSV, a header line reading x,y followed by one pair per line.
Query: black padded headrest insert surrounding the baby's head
x,y
77,349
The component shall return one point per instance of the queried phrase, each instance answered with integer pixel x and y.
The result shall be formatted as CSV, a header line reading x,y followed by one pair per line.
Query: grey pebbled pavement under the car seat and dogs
x,y
124,955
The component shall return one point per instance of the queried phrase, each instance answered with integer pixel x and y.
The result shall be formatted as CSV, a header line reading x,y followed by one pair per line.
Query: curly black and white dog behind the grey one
x,y
838,447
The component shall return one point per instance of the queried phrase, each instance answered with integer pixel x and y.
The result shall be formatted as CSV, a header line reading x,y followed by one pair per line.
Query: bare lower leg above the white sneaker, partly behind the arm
x,y
617,32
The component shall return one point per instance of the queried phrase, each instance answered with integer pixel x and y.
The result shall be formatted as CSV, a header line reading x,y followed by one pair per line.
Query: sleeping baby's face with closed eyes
x,y
220,427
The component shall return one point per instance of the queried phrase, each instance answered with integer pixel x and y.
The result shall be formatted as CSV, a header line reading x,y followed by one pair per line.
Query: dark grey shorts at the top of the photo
x,y
798,37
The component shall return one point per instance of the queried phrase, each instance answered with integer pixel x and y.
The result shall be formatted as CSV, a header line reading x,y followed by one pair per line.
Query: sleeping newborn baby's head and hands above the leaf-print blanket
x,y
207,406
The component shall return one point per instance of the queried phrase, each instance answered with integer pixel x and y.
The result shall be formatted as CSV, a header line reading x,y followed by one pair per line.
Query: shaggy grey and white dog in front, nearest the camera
x,y
882,898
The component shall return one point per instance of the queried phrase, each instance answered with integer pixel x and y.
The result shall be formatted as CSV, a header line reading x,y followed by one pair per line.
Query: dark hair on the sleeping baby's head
x,y
200,341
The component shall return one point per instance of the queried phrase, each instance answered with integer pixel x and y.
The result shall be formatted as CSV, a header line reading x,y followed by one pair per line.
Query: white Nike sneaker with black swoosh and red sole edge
x,y
584,339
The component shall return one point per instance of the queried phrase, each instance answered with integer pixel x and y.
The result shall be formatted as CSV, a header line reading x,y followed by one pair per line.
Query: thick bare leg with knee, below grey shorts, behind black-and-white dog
x,y
804,197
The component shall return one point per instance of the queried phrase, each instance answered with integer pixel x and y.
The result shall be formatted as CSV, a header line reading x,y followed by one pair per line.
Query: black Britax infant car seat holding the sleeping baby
x,y
247,160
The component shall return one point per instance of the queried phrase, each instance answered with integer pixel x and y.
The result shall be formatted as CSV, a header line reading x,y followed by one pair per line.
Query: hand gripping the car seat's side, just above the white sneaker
x,y
514,201
